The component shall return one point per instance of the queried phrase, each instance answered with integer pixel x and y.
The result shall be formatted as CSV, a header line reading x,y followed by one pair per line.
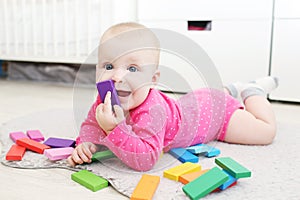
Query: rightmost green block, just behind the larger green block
x,y
233,168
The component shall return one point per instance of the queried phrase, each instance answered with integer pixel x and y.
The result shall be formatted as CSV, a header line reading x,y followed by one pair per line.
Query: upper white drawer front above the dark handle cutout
x,y
204,9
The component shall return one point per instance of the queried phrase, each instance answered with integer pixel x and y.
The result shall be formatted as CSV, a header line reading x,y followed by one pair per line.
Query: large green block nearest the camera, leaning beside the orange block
x,y
205,184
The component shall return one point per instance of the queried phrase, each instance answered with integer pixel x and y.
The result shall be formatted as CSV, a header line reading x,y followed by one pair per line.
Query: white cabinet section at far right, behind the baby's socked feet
x,y
285,62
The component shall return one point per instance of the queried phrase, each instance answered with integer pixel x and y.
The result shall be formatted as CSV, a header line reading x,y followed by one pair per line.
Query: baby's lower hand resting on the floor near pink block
x,y
82,153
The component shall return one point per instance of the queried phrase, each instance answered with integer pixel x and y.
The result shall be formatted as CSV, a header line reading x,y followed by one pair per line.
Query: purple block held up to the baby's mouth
x,y
105,86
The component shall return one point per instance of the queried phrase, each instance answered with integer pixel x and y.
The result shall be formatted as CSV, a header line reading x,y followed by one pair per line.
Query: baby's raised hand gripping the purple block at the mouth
x,y
106,118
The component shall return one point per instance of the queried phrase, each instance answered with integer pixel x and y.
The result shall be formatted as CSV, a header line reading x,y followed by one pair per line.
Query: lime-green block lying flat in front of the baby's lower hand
x,y
89,180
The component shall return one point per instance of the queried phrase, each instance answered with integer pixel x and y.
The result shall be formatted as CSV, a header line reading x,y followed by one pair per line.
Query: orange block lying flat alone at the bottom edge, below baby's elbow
x,y
146,187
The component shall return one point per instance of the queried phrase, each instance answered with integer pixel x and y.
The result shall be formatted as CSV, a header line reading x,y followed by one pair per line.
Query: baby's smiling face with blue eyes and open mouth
x,y
133,73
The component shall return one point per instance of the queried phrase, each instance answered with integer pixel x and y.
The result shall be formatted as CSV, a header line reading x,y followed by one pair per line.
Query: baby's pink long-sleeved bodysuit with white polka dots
x,y
161,123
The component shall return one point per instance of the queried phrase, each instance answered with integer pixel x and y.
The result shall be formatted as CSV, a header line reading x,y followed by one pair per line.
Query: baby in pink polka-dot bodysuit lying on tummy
x,y
149,122
